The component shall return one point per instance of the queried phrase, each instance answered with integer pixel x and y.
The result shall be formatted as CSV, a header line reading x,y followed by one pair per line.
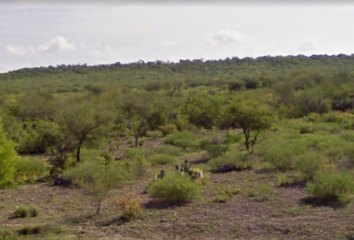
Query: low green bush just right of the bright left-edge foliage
x,y
29,169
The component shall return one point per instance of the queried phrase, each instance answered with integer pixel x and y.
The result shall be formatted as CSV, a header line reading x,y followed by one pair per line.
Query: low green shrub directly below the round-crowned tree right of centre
x,y
232,160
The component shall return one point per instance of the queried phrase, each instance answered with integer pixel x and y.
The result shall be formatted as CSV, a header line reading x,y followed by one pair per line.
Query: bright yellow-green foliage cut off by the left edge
x,y
8,159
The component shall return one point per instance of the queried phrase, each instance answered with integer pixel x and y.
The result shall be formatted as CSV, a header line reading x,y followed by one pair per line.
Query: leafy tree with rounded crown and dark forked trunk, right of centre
x,y
251,117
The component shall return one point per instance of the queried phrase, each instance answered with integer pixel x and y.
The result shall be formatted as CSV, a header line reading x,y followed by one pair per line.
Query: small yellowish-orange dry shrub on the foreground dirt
x,y
130,204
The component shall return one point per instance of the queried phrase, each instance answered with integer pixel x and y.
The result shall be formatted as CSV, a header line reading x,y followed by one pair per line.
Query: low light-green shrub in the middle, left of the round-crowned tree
x,y
185,140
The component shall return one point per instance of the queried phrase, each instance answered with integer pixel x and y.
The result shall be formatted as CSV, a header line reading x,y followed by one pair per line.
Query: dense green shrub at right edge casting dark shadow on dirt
x,y
331,187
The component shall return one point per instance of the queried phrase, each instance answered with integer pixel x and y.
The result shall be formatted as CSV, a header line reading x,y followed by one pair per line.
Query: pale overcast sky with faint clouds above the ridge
x,y
34,34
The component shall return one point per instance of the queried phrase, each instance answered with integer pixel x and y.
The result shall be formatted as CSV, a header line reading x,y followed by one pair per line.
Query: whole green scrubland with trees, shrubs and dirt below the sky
x,y
82,149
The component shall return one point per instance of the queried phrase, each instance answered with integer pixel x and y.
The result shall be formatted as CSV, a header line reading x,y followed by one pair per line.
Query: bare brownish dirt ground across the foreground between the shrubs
x,y
282,216
